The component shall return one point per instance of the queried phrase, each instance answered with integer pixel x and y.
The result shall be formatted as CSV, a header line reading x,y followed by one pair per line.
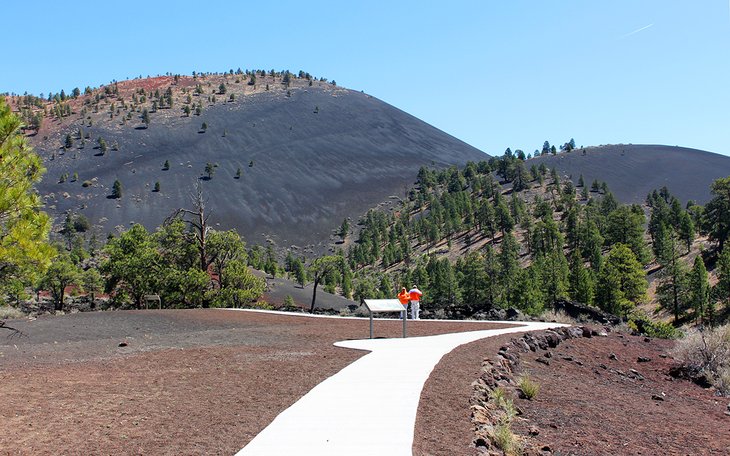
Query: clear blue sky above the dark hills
x,y
495,74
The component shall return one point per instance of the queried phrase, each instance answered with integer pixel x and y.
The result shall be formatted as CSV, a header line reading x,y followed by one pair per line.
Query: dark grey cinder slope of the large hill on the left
x,y
318,156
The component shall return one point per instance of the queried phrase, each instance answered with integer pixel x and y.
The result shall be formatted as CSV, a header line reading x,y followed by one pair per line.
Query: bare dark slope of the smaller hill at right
x,y
632,171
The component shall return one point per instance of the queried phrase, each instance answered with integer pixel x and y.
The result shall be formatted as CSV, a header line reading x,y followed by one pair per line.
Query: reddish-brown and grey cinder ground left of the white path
x,y
199,381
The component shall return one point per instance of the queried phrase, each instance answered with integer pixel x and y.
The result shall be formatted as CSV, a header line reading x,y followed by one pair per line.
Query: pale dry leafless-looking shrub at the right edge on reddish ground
x,y
706,353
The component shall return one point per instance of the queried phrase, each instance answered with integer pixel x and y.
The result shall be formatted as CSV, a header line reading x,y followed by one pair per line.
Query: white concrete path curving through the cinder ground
x,y
369,407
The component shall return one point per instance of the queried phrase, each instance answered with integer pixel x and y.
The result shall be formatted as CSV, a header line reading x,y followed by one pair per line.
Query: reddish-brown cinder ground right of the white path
x,y
589,403
